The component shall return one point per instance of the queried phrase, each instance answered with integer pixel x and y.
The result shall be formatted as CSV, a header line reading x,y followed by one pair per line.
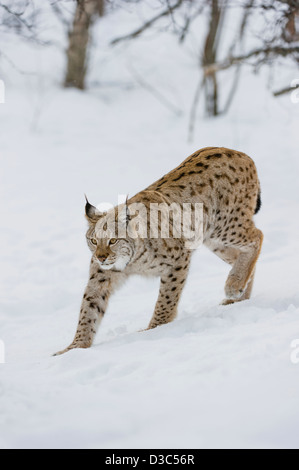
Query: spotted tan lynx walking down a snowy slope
x,y
225,182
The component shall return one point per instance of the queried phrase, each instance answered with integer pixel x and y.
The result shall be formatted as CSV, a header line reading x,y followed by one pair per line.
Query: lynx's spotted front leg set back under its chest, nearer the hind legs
x,y
171,287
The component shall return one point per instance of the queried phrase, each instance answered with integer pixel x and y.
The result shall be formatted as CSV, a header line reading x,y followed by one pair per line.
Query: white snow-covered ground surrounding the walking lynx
x,y
217,376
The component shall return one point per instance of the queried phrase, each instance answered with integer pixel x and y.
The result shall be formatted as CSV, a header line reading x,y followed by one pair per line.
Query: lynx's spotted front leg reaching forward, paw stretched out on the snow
x,y
93,306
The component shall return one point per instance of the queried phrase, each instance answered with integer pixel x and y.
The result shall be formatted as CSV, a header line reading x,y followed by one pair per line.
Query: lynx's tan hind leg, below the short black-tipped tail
x,y
242,257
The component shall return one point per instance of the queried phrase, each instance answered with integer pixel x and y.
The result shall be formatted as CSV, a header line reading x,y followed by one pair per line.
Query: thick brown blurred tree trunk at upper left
x,y
86,11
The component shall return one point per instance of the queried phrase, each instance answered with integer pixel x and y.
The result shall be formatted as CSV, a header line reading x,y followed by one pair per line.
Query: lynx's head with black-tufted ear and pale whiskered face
x,y
107,237
